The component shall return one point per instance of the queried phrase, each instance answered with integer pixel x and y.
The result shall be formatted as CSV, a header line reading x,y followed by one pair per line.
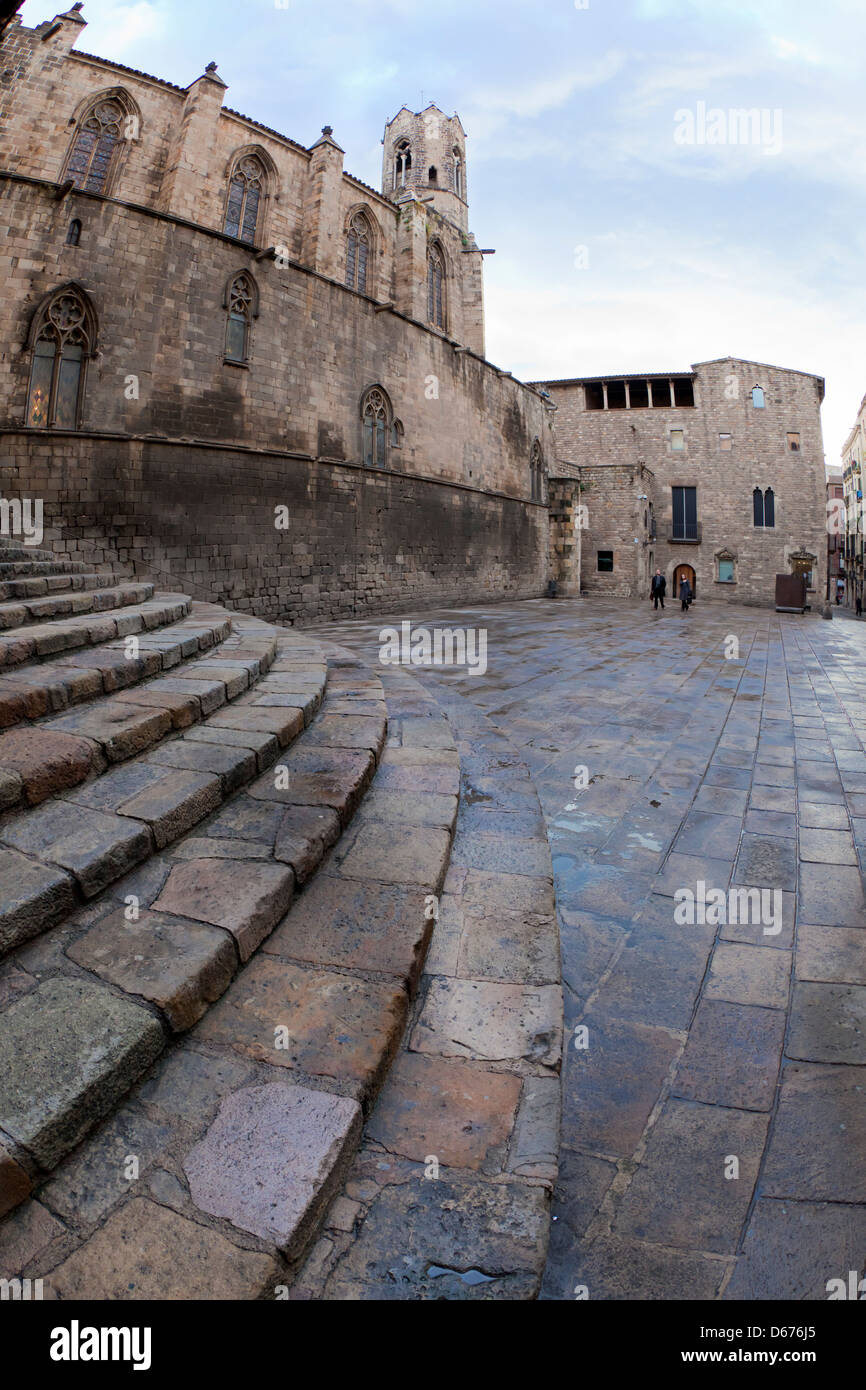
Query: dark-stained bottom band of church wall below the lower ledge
x,y
204,521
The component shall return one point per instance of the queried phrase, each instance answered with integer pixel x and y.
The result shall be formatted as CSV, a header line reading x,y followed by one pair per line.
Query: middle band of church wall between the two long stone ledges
x,y
158,288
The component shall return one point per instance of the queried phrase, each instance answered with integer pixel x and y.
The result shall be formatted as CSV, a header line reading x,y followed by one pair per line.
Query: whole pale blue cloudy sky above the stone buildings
x,y
690,251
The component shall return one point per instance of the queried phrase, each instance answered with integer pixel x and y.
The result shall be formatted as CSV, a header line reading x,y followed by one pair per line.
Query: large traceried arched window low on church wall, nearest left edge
x,y
62,340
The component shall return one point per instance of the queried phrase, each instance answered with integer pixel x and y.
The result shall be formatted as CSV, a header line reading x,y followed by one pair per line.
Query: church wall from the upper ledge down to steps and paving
x,y
184,480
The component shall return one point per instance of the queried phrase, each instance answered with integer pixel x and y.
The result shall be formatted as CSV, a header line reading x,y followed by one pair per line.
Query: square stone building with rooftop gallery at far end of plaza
x,y
715,476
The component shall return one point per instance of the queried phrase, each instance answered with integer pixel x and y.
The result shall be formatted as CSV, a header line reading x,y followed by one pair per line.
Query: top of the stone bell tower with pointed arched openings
x,y
425,154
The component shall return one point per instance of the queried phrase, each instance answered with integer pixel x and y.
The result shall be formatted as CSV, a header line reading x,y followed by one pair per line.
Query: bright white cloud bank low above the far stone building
x,y
629,313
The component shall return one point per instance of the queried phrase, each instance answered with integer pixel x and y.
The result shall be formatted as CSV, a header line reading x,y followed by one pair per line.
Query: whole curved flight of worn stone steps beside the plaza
x,y
180,793
